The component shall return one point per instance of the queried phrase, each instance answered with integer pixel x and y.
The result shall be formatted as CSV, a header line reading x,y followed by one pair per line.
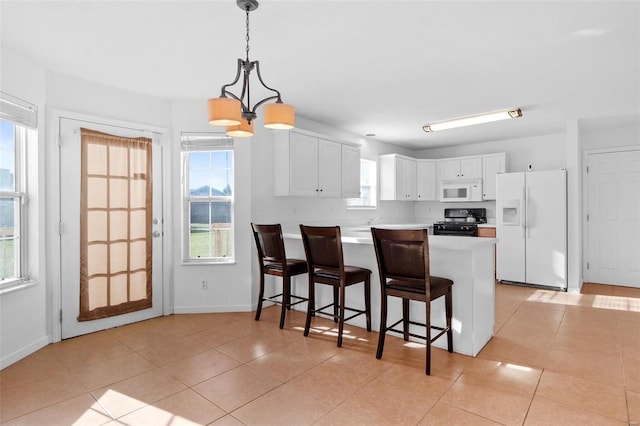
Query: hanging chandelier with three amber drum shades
x,y
236,112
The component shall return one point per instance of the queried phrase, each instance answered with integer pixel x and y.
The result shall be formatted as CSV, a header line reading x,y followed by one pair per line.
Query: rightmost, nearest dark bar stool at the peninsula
x,y
403,263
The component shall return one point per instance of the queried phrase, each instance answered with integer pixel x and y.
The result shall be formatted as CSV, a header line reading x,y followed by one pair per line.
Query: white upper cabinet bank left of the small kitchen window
x,y
306,165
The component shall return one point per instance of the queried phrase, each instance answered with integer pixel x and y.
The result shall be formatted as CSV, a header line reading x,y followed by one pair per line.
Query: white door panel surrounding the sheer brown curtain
x,y
70,191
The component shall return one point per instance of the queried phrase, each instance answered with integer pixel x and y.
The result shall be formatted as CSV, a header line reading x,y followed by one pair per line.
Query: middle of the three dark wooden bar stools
x,y
325,262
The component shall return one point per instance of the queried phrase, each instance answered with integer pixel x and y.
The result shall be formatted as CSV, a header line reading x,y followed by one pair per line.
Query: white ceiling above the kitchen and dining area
x,y
383,67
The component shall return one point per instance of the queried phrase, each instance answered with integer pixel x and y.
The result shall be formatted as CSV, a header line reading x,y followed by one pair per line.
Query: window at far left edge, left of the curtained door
x,y
17,118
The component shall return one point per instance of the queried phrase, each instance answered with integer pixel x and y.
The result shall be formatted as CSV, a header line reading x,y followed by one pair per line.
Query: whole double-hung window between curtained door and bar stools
x,y
208,198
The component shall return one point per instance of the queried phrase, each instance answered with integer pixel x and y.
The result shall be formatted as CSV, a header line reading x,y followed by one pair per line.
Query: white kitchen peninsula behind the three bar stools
x,y
468,261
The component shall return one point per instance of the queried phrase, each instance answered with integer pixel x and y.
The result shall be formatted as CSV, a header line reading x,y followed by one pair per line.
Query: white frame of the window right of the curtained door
x,y
204,142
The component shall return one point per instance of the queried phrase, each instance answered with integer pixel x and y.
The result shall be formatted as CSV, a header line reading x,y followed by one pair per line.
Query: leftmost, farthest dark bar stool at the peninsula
x,y
273,261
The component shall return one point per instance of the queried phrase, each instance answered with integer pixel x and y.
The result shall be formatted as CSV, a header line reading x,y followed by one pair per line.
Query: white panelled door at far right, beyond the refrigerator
x,y
613,225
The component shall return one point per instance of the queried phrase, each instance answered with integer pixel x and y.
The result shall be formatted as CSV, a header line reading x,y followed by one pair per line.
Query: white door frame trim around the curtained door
x,y
52,220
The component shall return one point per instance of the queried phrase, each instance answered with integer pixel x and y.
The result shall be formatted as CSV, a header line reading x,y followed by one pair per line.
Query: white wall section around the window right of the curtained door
x,y
229,285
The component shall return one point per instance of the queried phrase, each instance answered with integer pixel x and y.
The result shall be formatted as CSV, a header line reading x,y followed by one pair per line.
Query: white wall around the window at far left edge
x,y
24,312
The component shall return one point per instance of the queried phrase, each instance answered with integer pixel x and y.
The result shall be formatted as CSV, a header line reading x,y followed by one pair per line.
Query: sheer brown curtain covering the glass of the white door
x,y
115,219
